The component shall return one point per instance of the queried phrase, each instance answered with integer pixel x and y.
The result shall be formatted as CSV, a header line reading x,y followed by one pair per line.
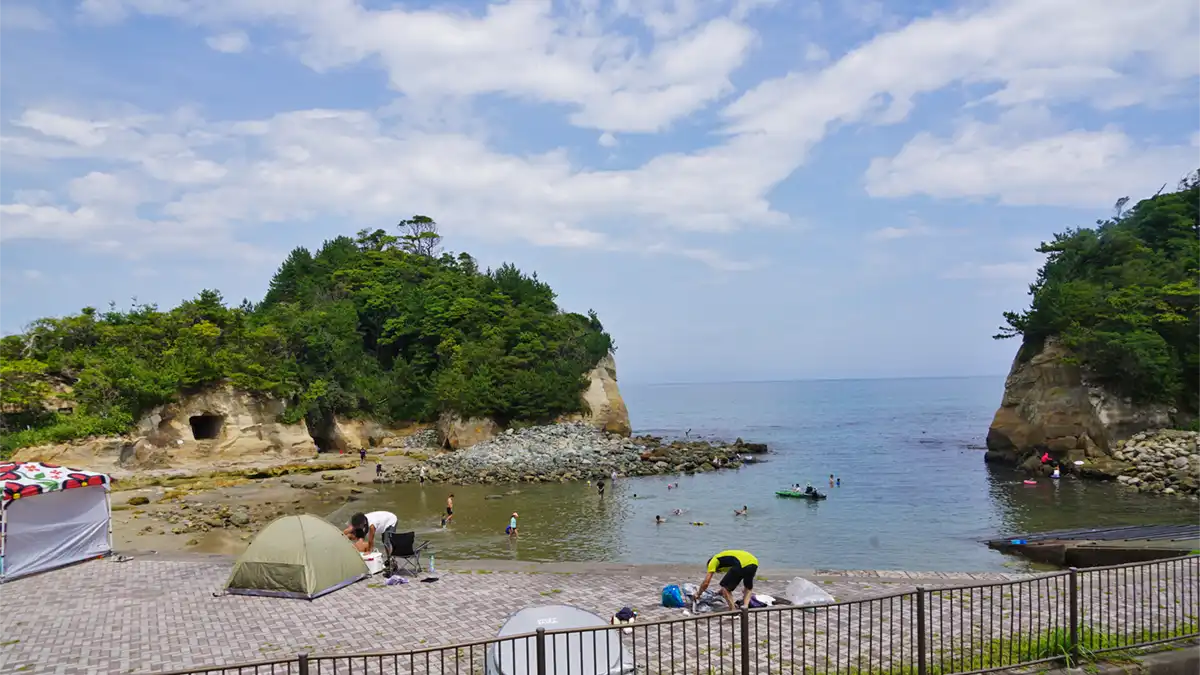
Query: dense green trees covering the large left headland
x,y
382,326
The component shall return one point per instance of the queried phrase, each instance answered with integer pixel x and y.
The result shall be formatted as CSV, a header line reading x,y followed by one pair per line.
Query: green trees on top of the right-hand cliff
x,y
1124,297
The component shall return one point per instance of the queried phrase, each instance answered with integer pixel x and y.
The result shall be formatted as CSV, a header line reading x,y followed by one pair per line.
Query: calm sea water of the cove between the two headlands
x,y
916,494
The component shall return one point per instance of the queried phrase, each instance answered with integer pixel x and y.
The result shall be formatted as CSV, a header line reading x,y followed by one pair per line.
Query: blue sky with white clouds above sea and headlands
x,y
742,189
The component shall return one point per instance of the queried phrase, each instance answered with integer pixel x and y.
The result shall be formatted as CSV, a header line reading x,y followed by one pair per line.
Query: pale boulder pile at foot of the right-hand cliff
x,y
1162,463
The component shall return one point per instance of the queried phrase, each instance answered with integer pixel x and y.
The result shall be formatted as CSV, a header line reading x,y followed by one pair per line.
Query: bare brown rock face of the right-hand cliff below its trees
x,y
1049,407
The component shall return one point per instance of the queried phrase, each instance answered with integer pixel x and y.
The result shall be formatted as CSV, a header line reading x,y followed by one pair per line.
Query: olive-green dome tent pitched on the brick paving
x,y
297,557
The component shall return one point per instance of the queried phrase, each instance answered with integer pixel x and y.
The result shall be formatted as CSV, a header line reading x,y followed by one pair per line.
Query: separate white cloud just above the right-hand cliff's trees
x,y
1070,169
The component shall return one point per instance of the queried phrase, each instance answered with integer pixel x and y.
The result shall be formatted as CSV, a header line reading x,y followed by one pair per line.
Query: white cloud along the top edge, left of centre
x,y
521,49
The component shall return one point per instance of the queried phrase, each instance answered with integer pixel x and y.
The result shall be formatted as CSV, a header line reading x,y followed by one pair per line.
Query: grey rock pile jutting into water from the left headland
x,y
573,452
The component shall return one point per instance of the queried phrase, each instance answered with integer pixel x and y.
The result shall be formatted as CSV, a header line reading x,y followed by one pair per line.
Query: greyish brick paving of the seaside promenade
x,y
154,617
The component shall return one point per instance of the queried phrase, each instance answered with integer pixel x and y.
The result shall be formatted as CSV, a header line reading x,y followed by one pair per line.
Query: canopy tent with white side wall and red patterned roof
x,y
51,517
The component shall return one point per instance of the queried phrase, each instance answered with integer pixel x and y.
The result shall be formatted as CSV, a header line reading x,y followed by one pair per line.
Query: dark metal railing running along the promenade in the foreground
x,y
1066,617
